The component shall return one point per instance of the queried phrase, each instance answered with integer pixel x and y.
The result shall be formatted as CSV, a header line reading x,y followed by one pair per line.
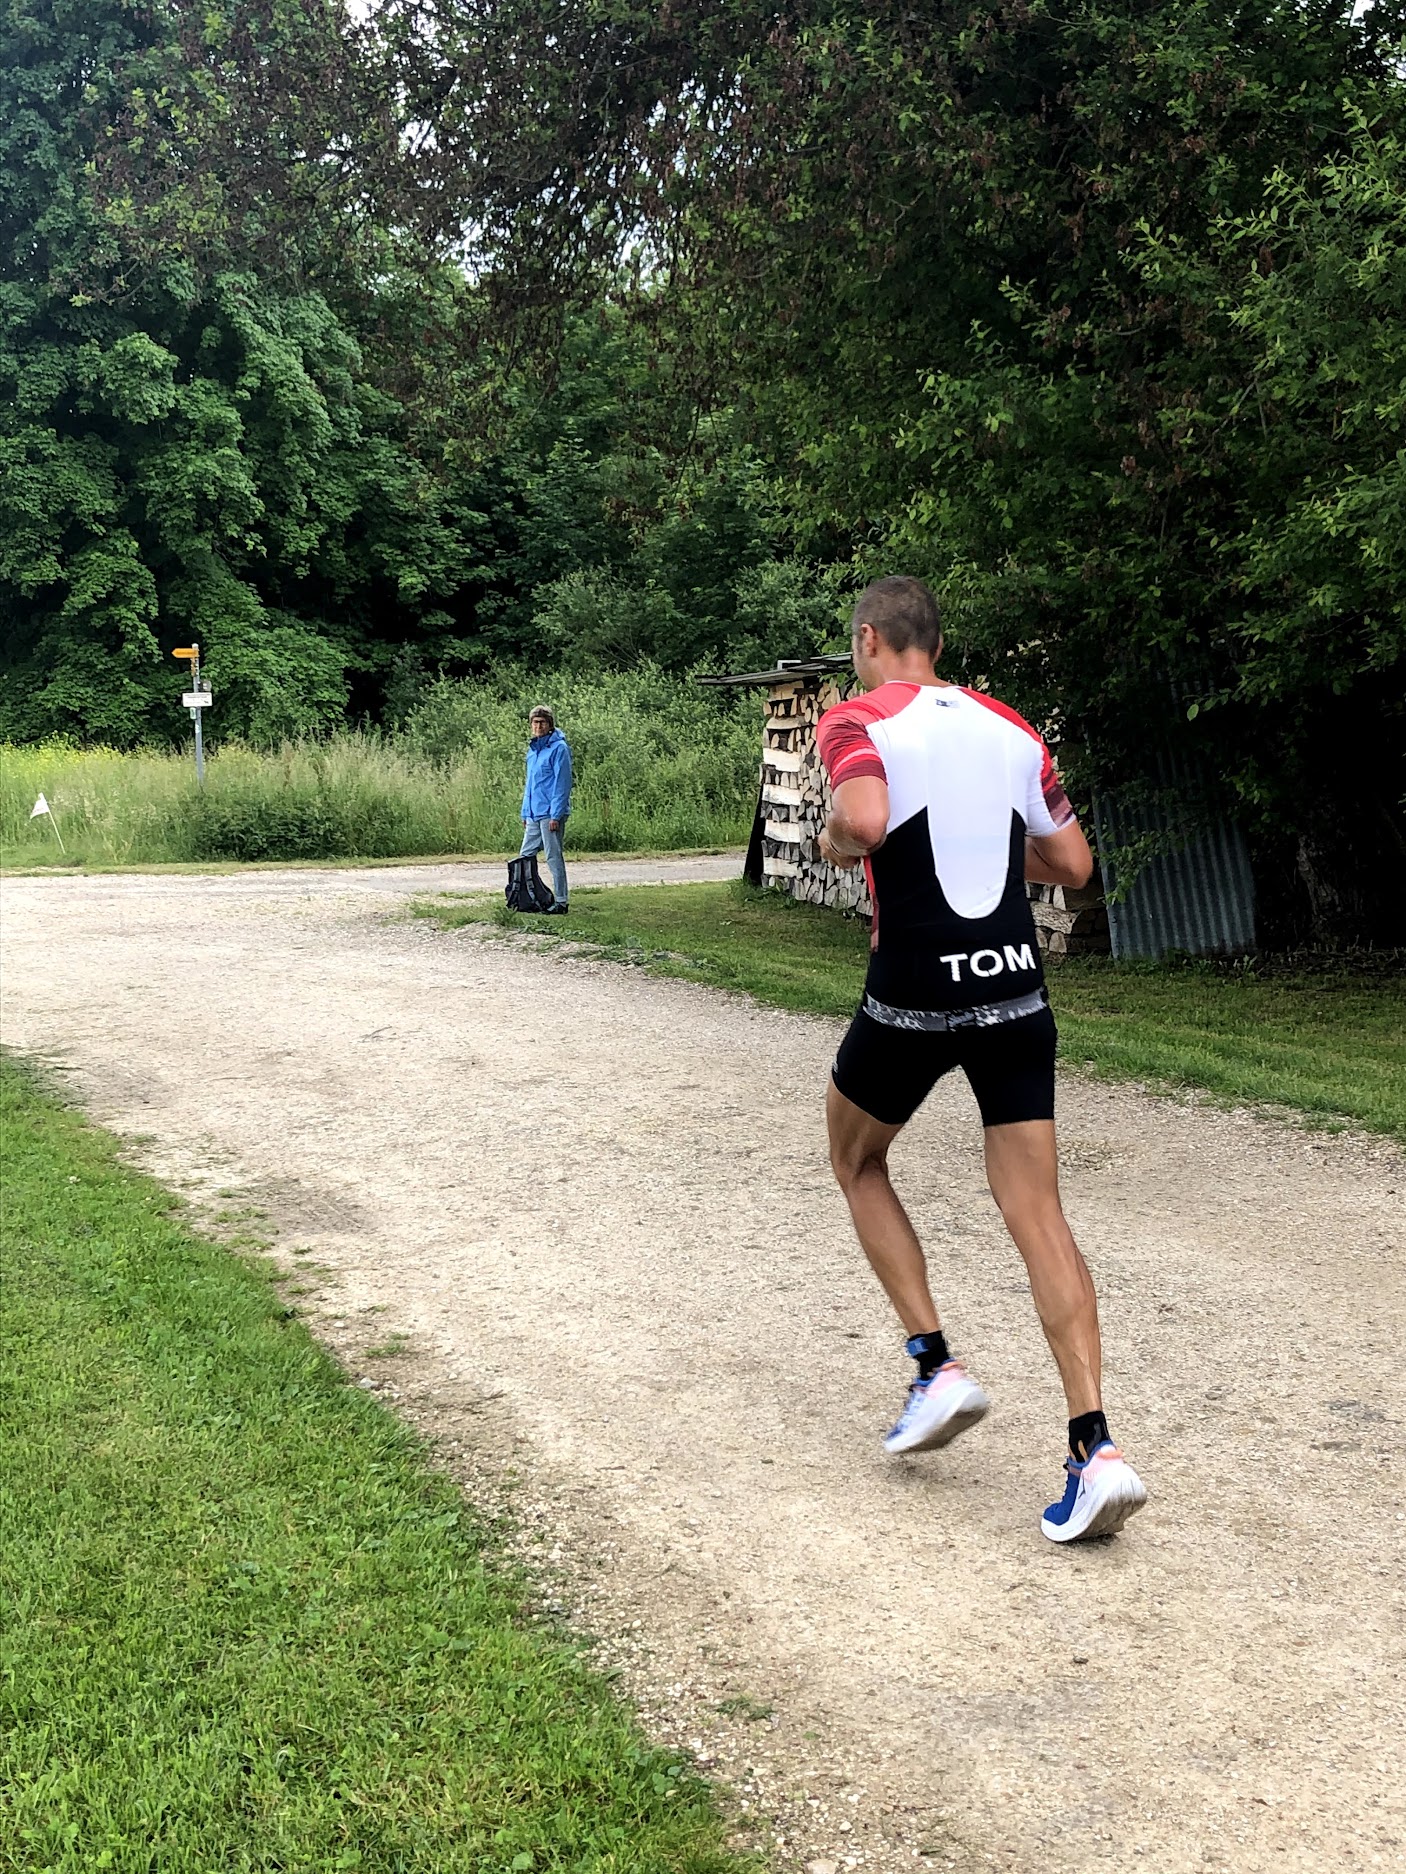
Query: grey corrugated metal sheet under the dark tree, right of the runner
x,y
1195,899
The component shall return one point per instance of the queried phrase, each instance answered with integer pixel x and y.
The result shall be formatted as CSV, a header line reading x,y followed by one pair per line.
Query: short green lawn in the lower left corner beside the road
x,y
245,1628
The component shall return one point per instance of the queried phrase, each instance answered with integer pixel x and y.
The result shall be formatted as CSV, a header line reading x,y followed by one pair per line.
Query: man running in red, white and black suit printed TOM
x,y
953,803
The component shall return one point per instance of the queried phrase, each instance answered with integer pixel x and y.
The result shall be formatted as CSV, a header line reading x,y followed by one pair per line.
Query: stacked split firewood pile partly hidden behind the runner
x,y
796,801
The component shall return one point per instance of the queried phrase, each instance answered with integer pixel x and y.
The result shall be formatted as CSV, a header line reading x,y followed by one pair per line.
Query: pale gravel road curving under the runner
x,y
593,1215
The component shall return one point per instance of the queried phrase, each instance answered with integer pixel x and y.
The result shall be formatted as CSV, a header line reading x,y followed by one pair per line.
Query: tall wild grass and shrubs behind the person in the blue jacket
x,y
659,764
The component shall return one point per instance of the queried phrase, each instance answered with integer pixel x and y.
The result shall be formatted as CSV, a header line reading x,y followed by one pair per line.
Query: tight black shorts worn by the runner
x,y
890,1073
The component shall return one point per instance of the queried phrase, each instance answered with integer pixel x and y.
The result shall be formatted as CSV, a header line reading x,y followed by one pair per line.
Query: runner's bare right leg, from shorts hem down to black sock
x,y
1025,1176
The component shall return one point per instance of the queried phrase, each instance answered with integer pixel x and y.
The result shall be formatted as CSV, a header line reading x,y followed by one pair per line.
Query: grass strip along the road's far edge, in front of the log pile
x,y
1324,1045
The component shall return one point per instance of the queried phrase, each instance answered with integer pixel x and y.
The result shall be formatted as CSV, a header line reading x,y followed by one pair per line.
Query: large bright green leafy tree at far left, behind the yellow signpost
x,y
183,456
